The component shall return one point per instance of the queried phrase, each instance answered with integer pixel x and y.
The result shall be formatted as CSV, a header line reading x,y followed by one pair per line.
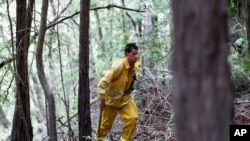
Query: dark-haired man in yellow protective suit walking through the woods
x,y
115,92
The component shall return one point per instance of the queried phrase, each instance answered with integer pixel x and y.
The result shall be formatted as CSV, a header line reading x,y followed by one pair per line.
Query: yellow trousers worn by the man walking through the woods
x,y
128,113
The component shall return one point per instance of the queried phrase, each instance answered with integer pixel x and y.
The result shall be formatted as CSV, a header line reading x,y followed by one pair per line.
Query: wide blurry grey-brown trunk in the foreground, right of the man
x,y
203,98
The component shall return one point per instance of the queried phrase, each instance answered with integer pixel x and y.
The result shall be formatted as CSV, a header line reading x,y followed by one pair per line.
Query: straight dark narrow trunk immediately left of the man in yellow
x,y
83,90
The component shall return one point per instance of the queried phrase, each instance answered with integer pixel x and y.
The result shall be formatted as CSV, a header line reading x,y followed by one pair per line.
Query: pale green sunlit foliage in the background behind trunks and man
x,y
117,30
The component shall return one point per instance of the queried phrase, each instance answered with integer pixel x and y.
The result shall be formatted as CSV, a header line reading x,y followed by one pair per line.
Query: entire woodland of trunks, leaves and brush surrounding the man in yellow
x,y
194,77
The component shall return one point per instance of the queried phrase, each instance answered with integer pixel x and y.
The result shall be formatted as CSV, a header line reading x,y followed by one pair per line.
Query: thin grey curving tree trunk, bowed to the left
x,y
42,77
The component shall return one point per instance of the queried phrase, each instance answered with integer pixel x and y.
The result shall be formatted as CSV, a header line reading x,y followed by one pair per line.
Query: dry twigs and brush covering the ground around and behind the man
x,y
154,101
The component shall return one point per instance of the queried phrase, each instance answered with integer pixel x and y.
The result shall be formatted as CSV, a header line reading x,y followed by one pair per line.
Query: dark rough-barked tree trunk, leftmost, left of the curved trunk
x,y
22,128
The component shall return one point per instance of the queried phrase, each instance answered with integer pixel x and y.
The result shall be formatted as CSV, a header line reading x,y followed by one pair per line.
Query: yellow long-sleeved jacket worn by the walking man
x,y
116,82
